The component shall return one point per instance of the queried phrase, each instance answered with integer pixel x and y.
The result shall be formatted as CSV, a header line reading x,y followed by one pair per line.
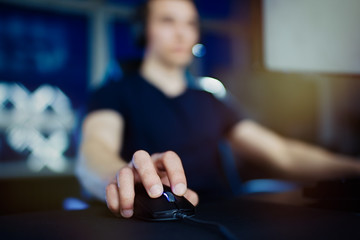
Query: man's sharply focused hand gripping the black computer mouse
x,y
153,171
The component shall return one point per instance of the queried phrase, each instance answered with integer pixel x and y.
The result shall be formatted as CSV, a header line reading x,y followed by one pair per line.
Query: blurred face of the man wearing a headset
x,y
172,31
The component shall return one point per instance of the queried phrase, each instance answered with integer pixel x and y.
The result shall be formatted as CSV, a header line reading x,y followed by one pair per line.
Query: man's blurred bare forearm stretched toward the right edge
x,y
289,159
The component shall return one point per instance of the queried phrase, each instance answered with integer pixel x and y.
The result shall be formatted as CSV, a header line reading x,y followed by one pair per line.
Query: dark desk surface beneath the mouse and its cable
x,y
246,218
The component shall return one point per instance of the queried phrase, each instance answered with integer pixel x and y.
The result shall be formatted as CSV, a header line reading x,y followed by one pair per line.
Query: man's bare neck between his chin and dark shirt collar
x,y
168,79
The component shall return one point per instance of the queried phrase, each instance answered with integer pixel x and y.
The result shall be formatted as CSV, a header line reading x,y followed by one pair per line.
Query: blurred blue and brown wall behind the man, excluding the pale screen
x,y
51,52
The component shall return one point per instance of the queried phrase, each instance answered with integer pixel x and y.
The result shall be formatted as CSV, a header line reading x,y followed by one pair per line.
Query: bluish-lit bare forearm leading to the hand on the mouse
x,y
96,167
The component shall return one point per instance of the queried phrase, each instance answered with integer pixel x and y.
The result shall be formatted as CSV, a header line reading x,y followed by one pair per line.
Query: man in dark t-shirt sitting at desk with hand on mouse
x,y
158,112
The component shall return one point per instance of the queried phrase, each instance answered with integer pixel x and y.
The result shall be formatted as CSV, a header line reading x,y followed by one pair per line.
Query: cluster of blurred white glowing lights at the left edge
x,y
28,123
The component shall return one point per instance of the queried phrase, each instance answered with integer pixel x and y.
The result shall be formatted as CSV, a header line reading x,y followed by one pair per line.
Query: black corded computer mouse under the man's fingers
x,y
164,208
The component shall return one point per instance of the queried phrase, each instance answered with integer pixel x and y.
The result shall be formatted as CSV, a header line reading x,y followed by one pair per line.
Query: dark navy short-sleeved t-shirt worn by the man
x,y
191,124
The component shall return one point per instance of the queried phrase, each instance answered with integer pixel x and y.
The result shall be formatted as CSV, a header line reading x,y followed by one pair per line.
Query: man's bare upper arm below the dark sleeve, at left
x,y
105,127
